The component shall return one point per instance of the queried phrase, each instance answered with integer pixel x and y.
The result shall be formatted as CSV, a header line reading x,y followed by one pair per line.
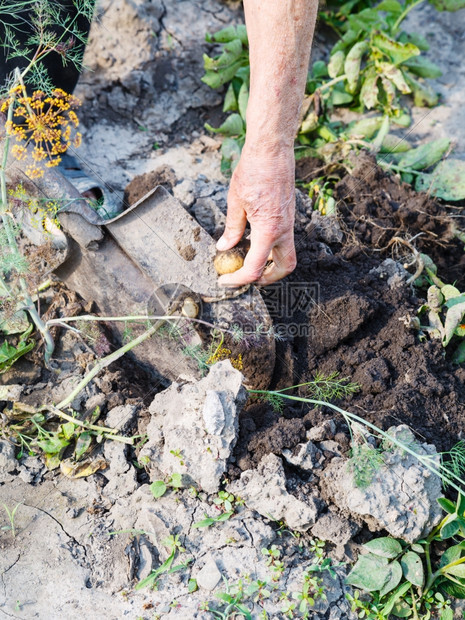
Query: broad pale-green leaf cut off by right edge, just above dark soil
x,y
446,182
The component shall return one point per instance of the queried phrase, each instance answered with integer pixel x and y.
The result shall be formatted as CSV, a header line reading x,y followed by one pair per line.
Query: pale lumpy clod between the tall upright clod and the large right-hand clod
x,y
264,490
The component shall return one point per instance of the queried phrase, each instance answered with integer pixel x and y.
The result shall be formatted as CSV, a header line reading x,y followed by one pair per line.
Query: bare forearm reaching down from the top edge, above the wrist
x,y
280,37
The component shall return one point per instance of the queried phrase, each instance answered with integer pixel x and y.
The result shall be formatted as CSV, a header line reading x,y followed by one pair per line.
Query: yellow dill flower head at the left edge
x,y
45,123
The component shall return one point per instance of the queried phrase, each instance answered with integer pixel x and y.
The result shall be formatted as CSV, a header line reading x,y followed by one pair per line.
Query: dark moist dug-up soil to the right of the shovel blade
x,y
357,326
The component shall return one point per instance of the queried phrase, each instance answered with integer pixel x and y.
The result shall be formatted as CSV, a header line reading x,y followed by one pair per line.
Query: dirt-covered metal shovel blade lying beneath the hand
x,y
147,260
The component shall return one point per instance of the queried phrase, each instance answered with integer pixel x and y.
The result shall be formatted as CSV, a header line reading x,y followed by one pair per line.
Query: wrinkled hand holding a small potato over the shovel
x,y
262,192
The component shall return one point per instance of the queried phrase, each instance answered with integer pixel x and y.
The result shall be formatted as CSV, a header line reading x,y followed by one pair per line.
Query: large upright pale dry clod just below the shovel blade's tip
x,y
194,427
